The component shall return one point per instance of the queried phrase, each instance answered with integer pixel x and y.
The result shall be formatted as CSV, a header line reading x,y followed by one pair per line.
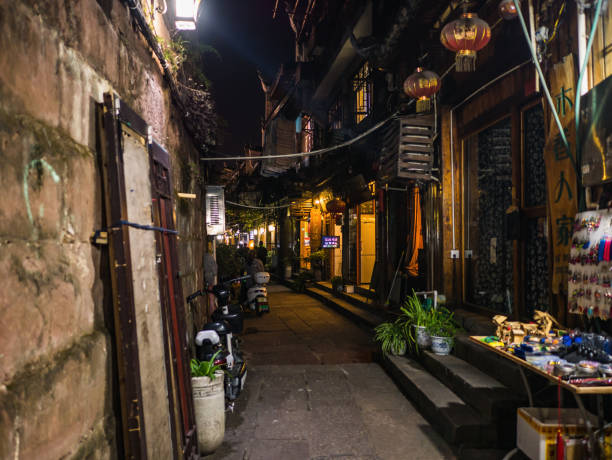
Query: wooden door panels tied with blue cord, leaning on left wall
x,y
149,311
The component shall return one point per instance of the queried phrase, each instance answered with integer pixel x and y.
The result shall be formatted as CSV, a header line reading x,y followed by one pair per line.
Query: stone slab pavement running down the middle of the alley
x,y
312,393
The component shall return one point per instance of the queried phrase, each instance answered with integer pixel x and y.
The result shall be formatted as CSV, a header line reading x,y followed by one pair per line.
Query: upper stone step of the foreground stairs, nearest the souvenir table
x,y
495,402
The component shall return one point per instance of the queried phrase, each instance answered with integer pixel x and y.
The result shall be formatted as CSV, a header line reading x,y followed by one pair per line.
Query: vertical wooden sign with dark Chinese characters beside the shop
x,y
560,169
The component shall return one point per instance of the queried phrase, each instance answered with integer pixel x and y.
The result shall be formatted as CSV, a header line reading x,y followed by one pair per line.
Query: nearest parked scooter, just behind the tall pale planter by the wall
x,y
219,335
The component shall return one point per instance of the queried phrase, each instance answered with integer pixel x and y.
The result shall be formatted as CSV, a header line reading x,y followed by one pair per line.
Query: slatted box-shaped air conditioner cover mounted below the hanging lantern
x,y
408,149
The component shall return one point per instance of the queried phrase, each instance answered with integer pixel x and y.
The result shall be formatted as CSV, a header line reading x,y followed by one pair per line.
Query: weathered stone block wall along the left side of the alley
x,y
56,367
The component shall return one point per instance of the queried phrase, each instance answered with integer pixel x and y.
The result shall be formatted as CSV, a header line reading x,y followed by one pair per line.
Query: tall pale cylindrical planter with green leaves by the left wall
x,y
208,403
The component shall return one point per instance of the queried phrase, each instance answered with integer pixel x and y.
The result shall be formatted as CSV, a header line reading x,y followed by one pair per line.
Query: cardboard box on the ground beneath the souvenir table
x,y
536,432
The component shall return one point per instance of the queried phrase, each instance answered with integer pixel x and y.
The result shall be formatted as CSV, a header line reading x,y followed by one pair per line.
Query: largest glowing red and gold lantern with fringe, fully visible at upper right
x,y
465,36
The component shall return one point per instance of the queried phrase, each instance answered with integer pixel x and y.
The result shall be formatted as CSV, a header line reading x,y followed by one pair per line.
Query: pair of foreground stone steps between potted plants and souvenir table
x,y
472,411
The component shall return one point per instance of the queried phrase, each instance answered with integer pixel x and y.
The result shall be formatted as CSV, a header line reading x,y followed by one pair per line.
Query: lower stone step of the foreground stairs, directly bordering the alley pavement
x,y
457,422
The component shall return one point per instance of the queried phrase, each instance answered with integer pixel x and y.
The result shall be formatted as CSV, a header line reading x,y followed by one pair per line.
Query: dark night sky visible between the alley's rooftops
x,y
248,39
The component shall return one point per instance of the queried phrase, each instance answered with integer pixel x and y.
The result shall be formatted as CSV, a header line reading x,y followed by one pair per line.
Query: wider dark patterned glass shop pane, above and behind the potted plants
x,y
487,196
